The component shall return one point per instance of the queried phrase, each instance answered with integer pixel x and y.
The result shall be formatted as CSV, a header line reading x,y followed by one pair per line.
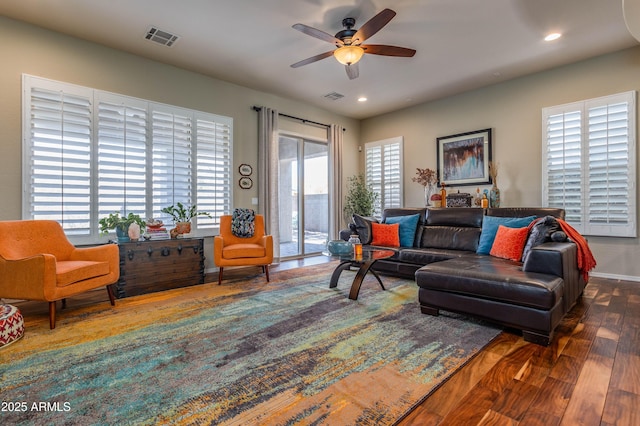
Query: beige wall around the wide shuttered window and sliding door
x,y
32,50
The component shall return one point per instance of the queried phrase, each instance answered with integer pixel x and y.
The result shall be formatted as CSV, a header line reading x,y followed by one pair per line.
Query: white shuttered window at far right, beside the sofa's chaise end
x,y
589,164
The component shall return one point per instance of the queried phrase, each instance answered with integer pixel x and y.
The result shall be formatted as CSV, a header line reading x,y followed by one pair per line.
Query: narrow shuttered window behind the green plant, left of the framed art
x,y
383,172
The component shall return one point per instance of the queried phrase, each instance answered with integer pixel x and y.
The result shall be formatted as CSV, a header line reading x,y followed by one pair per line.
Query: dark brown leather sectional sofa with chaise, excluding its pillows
x,y
532,296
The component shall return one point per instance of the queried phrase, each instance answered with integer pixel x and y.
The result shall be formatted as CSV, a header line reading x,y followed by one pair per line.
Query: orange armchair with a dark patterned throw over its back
x,y
229,250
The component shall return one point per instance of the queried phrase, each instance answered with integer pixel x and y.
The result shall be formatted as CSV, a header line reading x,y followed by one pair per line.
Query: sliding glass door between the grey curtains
x,y
304,196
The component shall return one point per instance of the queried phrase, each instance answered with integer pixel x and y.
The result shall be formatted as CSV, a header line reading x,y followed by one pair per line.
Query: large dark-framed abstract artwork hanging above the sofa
x,y
463,159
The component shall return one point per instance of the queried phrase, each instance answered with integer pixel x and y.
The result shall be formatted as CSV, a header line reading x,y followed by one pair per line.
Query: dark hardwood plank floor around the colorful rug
x,y
589,375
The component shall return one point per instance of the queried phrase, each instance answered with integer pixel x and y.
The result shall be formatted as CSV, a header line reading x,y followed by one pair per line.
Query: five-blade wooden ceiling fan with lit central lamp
x,y
349,48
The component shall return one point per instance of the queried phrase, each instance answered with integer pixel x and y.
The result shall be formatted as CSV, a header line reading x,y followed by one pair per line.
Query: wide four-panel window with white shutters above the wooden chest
x,y
89,153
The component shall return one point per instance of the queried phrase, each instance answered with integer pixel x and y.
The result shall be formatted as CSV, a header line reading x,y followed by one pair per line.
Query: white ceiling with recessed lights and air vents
x,y
461,44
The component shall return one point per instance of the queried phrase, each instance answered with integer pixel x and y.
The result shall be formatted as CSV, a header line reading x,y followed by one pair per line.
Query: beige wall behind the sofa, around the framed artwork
x,y
513,110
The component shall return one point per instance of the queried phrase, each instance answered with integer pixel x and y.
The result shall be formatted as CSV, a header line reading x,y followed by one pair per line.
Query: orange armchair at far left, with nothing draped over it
x,y
38,262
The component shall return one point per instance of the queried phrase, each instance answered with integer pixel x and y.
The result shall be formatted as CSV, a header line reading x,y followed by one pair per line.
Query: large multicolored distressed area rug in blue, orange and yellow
x,y
292,351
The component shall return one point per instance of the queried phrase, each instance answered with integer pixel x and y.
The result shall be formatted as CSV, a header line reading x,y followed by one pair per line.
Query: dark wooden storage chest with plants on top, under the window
x,y
149,266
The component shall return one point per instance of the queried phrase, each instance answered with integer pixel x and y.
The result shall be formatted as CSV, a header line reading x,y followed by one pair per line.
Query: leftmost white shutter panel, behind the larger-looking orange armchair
x,y
57,152
